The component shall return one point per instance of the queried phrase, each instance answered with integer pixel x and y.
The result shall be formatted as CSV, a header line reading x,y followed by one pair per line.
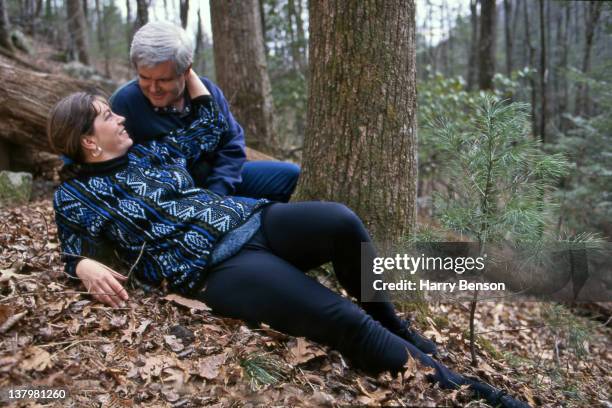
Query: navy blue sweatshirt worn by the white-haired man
x,y
144,122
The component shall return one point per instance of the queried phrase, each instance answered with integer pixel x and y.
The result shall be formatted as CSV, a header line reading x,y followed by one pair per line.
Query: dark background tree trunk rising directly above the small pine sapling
x,y
486,44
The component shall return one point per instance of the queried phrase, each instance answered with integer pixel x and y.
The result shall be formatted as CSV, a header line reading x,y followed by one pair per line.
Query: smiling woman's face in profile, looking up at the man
x,y
109,134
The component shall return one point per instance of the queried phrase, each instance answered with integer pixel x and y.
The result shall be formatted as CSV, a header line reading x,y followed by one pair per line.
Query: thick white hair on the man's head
x,y
158,42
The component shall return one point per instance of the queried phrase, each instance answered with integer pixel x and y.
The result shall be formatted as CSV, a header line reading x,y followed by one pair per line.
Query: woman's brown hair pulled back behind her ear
x,y
71,119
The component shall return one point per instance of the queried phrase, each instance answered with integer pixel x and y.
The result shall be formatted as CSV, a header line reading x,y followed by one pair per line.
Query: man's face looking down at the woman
x,y
161,84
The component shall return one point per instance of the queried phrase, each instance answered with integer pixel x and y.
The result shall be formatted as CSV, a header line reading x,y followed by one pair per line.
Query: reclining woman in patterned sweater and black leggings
x,y
244,258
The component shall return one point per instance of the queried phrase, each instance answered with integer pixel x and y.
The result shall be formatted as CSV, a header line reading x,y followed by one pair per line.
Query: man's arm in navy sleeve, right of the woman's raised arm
x,y
230,157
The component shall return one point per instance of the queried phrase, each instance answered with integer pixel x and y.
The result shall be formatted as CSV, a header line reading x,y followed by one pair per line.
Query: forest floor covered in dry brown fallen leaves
x,y
165,351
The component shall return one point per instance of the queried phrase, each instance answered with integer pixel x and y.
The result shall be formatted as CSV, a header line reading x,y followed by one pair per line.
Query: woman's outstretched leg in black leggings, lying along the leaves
x,y
258,286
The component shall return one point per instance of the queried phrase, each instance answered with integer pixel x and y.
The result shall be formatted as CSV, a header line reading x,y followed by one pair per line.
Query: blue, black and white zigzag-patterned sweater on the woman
x,y
146,201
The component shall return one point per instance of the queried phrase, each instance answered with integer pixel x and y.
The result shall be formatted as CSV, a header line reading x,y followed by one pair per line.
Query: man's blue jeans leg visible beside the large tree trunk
x,y
268,179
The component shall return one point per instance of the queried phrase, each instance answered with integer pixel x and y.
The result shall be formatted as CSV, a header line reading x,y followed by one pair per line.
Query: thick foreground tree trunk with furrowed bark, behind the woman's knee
x,y
360,145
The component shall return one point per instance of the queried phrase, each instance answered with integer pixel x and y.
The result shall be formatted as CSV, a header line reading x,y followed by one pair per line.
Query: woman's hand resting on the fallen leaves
x,y
102,282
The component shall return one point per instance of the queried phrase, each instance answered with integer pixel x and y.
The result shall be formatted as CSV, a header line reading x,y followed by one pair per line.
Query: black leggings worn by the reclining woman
x,y
265,282
